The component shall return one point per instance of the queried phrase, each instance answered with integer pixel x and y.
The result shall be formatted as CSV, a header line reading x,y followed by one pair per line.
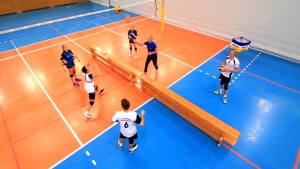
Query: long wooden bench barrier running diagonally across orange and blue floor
x,y
206,122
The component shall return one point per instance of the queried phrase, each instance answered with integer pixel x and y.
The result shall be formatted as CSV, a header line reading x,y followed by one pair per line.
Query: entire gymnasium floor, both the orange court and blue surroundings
x,y
42,123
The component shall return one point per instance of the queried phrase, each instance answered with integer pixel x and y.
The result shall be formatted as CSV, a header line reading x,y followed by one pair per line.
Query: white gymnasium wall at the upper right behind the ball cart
x,y
271,25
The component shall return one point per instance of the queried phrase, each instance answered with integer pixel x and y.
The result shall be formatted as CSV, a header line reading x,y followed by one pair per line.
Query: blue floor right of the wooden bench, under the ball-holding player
x,y
266,114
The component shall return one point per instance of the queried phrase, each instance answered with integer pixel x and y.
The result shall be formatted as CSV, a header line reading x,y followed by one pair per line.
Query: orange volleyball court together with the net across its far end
x,y
43,113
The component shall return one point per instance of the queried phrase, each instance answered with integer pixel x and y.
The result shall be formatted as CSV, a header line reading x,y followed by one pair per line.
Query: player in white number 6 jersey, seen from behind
x,y
127,120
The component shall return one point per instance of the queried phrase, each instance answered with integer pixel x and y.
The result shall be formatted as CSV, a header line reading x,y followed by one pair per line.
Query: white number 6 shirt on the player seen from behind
x,y
127,122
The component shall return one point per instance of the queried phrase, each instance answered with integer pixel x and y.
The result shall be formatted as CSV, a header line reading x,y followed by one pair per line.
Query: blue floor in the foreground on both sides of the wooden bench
x,y
267,116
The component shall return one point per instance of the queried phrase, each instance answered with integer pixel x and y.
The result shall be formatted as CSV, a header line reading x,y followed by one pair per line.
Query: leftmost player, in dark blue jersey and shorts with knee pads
x,y
67,59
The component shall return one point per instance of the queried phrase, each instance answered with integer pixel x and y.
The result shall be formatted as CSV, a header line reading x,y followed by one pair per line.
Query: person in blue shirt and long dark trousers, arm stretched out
x,y
152,53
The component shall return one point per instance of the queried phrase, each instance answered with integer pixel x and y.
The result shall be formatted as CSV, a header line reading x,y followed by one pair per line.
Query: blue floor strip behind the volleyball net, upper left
x,y
41,33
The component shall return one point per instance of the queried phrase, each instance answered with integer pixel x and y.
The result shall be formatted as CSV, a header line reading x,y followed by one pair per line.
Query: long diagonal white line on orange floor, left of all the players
x,y
44,90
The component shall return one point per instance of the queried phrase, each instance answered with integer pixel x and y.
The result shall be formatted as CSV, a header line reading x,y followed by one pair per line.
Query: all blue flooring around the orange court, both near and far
x,y
263,104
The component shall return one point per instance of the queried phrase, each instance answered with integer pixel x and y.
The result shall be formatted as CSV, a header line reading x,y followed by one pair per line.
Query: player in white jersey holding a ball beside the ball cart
x,y
232,65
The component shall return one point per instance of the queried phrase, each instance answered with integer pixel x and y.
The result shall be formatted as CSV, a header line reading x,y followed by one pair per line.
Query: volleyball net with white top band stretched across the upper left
x,y
53,29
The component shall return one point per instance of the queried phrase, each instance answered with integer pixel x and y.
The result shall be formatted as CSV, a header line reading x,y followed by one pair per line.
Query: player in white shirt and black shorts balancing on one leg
x,y
90,88
